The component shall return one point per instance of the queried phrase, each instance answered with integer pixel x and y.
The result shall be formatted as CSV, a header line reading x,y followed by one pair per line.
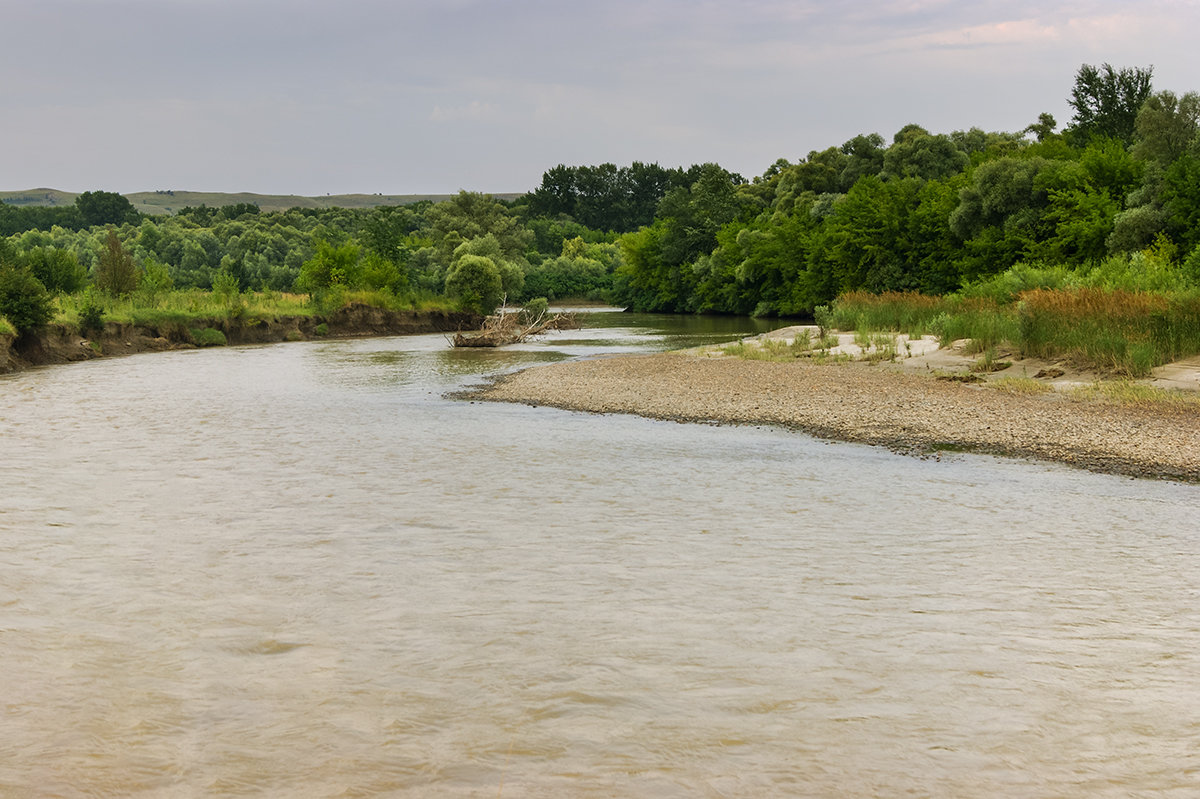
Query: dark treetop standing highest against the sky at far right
x,y
1107,103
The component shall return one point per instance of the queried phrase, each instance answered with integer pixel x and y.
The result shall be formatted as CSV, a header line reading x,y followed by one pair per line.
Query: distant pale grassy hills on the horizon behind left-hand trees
x,y
173,201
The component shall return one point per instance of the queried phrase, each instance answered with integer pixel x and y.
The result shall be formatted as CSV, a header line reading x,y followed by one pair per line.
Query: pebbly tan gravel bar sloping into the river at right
x,y
843,405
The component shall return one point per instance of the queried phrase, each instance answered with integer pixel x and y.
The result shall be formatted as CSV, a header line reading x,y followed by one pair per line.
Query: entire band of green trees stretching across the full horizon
x,y
926,212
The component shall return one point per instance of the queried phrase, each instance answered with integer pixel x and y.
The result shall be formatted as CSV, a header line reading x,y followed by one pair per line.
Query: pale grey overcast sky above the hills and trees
x,y
431,97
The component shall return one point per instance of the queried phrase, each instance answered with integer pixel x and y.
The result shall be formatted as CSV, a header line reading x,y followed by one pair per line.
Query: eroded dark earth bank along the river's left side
x,y
59,344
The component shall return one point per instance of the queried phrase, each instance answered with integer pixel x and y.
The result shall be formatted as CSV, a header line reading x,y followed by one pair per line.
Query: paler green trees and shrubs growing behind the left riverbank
x,y
404,250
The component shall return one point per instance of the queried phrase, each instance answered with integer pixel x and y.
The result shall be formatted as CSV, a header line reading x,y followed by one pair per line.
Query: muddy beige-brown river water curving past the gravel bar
x,y
302,570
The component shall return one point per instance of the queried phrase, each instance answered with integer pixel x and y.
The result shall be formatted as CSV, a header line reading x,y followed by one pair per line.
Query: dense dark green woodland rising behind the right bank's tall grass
x,y
934,213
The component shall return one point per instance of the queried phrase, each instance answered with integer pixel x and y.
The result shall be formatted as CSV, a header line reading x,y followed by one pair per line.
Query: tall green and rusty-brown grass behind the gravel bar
x,y
1111,331
